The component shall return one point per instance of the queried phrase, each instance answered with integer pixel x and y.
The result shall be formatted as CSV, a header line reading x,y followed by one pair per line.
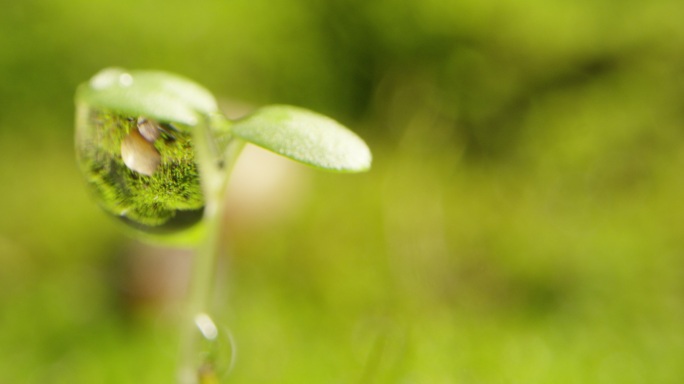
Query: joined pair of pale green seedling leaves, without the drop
x,y
293,132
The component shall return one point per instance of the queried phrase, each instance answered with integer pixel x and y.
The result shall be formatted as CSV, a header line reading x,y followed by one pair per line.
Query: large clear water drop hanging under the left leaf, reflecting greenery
x,y
140,170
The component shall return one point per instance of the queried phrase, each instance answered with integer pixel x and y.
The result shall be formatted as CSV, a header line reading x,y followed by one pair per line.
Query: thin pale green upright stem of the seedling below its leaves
x,y
199,333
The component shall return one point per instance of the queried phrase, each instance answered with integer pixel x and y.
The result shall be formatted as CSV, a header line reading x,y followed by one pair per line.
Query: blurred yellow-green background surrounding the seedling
x,y
522,223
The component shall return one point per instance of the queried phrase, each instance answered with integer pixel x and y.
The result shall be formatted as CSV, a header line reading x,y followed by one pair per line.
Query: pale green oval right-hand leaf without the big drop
x,y
305,136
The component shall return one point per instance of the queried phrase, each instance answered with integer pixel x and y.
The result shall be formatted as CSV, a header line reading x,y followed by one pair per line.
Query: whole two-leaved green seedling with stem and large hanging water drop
x,y
156,153
